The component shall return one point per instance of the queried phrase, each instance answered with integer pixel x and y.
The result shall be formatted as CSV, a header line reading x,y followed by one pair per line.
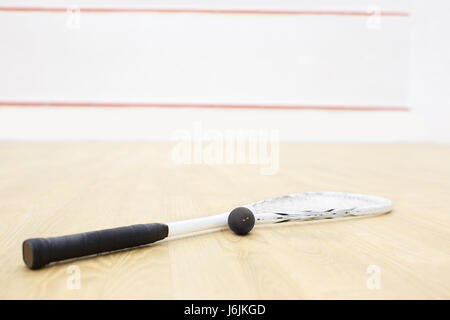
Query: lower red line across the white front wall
x,y
199,105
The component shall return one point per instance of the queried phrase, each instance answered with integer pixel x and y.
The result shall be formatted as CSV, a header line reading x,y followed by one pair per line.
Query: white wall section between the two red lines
x,y
204,58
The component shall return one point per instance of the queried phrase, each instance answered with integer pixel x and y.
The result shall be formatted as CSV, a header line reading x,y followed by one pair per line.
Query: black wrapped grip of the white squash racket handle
x,y
38,252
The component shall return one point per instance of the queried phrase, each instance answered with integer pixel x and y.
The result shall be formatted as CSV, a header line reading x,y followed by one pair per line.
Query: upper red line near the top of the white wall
x,y
210,11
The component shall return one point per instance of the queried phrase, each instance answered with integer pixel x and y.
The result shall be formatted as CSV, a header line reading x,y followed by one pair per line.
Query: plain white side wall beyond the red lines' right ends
x,y
430,67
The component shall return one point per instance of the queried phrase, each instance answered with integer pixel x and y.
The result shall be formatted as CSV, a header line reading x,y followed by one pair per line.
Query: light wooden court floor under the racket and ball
x,y
51,189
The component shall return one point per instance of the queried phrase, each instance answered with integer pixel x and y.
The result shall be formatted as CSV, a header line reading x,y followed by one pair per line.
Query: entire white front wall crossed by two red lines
x,y
166,58
